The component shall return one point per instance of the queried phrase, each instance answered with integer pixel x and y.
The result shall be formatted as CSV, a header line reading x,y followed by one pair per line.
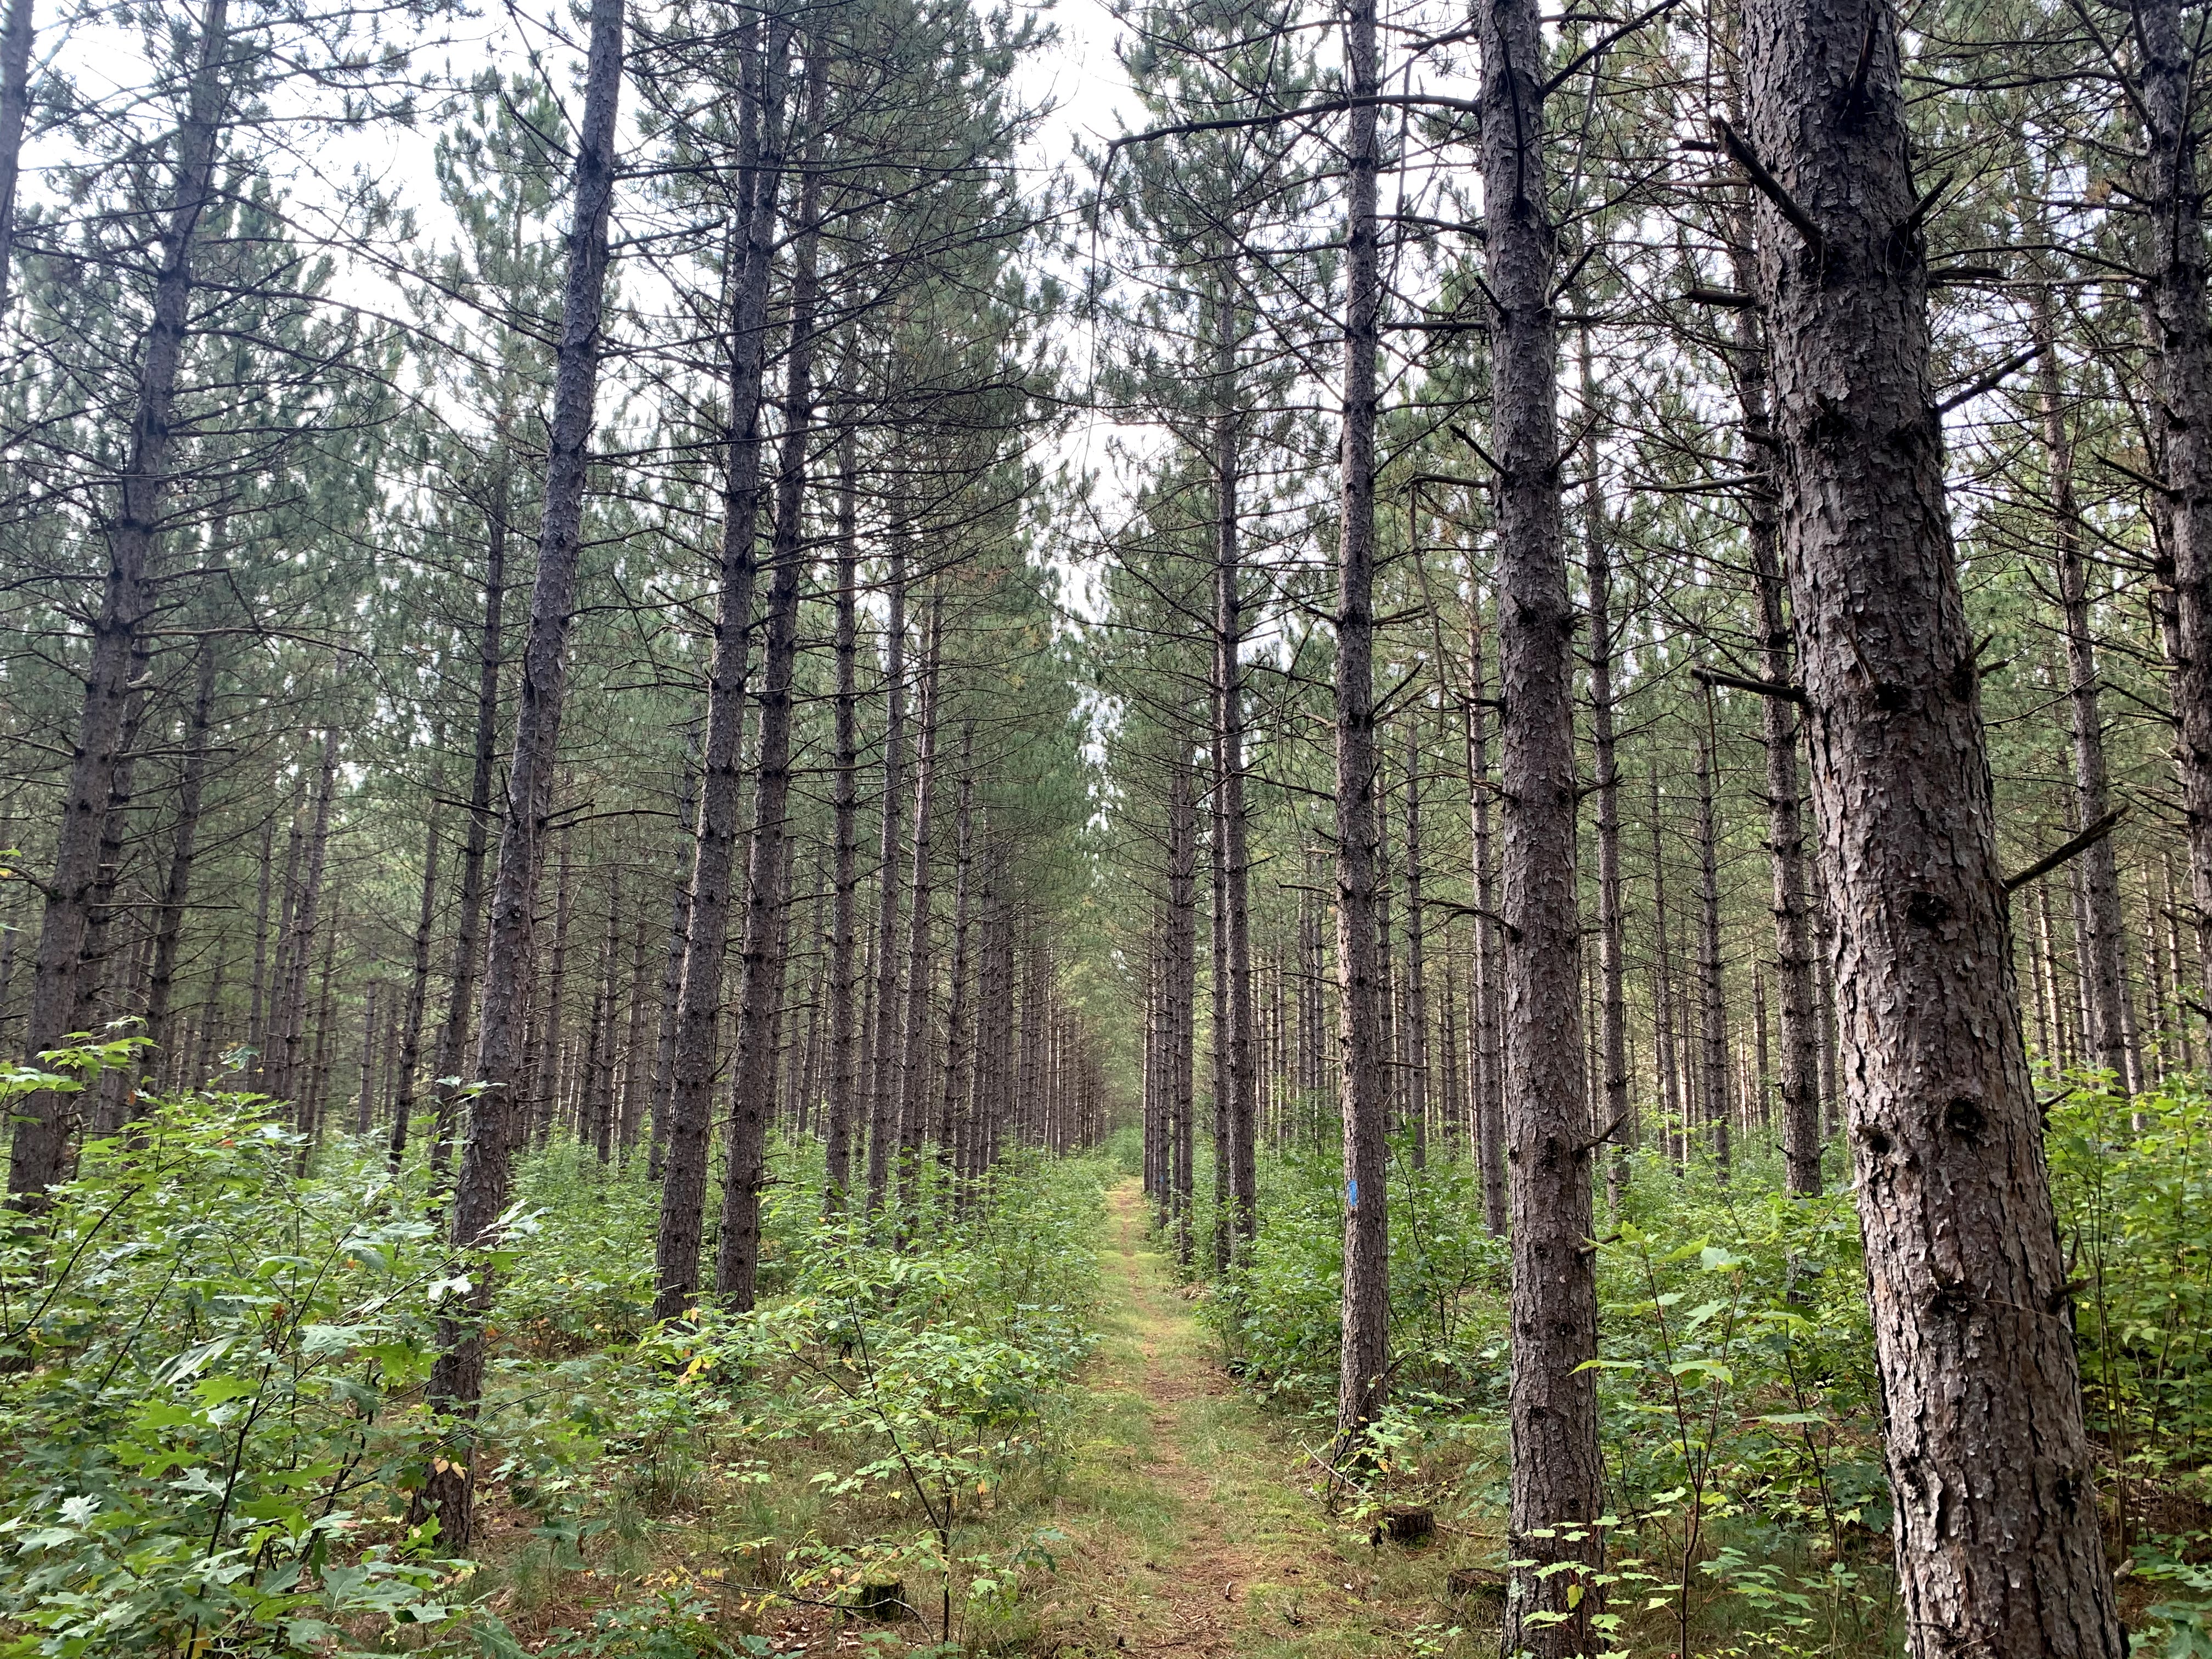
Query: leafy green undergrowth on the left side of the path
x,y
211,1408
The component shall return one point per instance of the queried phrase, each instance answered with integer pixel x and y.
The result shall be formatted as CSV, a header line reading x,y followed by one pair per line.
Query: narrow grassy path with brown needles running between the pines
x,y
1191,1512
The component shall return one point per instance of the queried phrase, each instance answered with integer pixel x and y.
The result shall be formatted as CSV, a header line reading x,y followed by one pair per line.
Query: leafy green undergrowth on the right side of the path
x,y
1740,1410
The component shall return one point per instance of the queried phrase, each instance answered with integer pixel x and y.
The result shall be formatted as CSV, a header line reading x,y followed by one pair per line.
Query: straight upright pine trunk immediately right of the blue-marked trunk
x,y
1558,1481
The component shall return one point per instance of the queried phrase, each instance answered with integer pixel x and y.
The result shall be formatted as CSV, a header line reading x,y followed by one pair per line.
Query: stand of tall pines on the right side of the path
x,y
1662,609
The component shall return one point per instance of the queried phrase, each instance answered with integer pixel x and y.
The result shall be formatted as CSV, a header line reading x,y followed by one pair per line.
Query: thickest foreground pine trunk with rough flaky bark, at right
x,y
1996,1516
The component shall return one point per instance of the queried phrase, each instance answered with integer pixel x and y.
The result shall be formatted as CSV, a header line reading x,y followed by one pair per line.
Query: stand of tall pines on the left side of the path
x,y
598,689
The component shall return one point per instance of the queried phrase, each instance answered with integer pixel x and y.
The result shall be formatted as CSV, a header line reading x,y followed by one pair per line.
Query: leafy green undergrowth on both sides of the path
x,y
216,1357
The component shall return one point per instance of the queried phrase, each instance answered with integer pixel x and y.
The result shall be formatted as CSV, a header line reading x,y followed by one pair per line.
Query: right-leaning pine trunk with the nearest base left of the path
x,y
457,1379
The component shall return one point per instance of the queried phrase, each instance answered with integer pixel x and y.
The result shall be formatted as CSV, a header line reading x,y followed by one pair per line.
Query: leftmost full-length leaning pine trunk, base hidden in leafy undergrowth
x,y
127,596
